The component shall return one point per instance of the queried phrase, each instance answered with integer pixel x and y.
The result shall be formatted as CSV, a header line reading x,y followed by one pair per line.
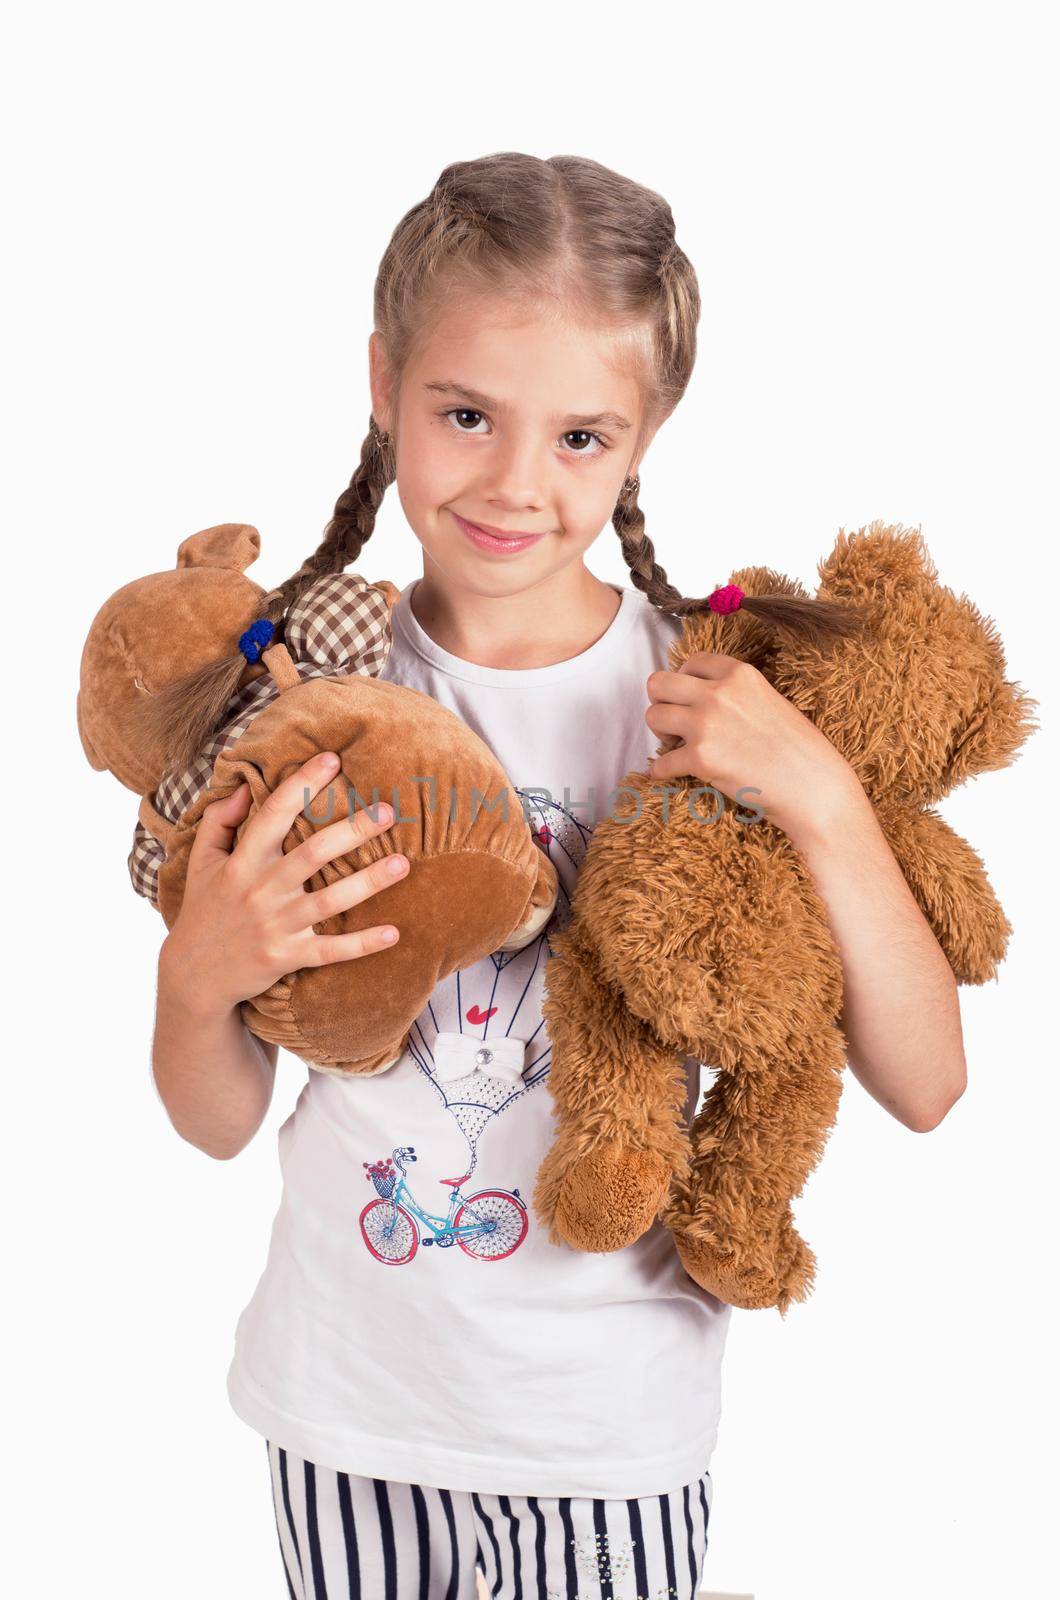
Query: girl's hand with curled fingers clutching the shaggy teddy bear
x,y
741,734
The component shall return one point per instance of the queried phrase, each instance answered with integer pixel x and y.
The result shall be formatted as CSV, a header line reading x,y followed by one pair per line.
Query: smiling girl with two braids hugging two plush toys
x,y
539,1414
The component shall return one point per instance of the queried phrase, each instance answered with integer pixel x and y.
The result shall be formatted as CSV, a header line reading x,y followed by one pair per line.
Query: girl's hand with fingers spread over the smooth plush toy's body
x,y
246,919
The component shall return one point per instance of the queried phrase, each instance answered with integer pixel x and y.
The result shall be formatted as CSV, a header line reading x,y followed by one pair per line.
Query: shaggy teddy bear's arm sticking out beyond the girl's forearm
x,y
952,889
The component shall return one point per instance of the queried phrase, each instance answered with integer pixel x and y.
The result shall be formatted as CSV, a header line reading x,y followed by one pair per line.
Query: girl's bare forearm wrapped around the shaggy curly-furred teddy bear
x,y
902,1015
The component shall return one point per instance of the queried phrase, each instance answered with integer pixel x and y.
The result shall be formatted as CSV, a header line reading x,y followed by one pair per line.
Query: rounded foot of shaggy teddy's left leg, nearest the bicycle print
x,y
611,1198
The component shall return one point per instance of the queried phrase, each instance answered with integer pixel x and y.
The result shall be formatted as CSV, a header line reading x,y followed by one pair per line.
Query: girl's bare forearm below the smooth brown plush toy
x,y
214,1078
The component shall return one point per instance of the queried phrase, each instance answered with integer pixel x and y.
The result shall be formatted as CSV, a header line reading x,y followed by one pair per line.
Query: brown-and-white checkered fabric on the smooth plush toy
x,y
342,625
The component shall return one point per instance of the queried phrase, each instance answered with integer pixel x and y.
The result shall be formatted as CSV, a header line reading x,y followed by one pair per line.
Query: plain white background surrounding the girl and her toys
x,y
198,201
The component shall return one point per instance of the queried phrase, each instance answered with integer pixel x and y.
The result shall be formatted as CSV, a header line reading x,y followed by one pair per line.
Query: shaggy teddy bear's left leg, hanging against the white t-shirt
x,y
619,1097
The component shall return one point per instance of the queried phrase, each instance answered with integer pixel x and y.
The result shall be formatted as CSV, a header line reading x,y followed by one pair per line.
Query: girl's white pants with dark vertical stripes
x,y
351,1538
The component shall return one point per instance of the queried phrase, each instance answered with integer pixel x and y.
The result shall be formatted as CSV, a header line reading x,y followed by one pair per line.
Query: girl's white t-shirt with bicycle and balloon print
x,y
382,1342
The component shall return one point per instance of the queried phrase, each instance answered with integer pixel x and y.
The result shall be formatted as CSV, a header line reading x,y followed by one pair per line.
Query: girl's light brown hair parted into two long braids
x,y
563,233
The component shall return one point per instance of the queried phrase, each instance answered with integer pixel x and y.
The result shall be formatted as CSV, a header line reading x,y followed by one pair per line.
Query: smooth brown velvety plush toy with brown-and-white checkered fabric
x,y
478,879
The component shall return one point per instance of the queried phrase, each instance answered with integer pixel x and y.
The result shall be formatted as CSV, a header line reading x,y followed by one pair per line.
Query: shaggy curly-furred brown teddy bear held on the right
x,y
710,942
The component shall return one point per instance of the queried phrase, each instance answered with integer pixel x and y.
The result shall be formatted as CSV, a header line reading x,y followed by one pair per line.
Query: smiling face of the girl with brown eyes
x,y
516,423
